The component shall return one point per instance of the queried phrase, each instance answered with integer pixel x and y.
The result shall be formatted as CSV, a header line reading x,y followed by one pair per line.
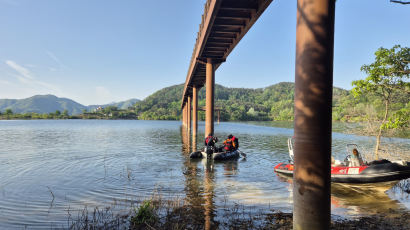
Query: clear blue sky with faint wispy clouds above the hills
x,y
97,52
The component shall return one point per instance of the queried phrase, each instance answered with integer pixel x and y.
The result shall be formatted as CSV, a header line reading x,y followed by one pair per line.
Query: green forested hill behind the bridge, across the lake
x,y
237,104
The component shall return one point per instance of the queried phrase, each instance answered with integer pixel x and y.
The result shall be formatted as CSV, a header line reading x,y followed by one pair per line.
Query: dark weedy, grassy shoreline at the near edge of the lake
x,y
156,213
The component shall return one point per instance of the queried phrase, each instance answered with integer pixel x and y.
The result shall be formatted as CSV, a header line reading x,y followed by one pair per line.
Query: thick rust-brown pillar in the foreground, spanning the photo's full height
x,y
313,113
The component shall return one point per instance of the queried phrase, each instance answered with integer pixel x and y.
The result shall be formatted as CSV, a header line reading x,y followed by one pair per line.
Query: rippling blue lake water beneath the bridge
x,y
50,169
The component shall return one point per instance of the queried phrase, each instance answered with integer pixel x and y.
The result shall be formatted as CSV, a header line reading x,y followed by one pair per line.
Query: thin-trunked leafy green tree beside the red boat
x,y
387,75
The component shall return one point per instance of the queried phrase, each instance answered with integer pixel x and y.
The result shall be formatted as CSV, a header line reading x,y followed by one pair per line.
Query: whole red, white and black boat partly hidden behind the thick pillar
x,y
343,172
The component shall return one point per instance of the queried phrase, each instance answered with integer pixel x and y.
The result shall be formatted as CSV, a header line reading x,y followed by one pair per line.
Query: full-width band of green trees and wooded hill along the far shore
x,y
273,103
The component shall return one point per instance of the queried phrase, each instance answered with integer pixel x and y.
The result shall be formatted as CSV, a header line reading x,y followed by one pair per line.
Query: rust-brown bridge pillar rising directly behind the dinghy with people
x,y
210,85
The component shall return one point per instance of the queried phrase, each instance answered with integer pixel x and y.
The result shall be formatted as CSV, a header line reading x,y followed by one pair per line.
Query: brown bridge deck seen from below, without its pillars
x,y
223,25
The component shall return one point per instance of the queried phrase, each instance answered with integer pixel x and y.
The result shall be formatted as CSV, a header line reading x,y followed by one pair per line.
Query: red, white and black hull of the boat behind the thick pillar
x,y
363,174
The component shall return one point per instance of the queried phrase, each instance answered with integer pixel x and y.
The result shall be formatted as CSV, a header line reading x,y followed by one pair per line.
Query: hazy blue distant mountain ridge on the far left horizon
x,y
50,103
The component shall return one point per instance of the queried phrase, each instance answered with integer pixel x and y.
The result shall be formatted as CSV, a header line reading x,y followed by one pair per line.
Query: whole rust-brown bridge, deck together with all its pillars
x,y
224,23
